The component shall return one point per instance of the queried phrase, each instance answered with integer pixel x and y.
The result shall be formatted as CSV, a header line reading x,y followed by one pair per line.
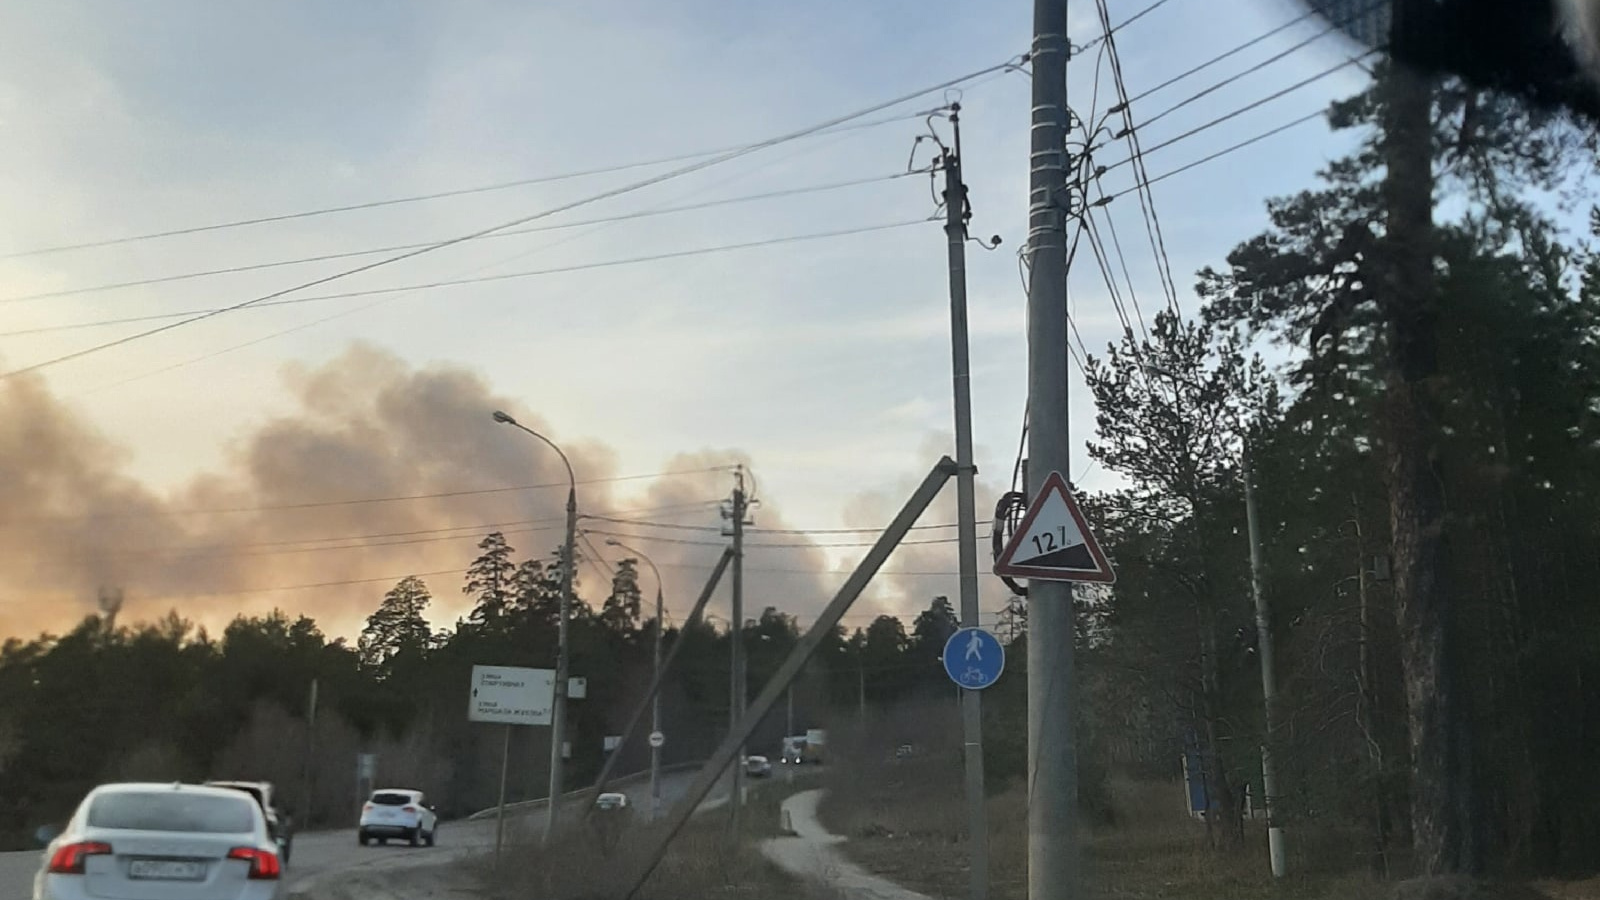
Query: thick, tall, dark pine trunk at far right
x,y
1417,504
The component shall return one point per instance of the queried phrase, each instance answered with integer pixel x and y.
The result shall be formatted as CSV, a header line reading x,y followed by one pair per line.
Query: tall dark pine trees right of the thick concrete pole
x,y
1428,465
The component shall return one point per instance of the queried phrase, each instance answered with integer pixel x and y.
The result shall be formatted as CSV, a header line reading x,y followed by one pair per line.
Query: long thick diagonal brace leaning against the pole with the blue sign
x,y
822,629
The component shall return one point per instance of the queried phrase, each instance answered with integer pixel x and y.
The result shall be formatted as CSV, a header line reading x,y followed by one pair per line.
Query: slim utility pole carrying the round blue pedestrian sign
x,y
956,215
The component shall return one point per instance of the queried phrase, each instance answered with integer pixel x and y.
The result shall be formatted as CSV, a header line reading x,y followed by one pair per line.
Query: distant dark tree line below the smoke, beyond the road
x,y
166,701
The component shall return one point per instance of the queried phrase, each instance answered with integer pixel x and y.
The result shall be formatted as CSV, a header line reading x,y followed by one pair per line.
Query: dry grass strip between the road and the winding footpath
x,y
703,861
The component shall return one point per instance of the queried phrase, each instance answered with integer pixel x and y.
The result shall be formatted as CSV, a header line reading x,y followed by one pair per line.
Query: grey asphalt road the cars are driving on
x,y
330,853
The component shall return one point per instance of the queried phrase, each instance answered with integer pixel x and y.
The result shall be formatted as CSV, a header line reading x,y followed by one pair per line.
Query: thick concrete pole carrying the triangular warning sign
x,y
1052,753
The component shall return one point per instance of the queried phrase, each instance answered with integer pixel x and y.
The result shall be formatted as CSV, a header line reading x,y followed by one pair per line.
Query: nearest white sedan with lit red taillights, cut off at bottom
x,y
162,843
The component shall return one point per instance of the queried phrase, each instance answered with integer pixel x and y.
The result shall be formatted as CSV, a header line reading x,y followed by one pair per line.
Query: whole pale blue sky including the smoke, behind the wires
x,y
820,364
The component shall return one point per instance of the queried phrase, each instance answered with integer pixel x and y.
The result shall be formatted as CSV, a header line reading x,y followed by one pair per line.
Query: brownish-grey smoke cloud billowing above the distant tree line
x,y
364,425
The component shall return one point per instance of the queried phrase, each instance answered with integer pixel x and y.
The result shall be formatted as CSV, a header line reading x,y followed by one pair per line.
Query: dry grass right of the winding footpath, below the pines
x,y
908,822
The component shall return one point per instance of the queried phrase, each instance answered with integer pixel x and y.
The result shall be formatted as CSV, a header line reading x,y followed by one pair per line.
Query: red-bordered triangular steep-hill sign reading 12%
x,y
1054,542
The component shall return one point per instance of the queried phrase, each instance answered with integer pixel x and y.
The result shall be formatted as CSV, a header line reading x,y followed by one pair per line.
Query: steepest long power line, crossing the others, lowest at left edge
x,y
508,225
